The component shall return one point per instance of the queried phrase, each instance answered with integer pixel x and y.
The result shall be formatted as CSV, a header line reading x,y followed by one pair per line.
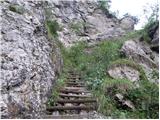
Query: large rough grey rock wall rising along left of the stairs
x,y
27,70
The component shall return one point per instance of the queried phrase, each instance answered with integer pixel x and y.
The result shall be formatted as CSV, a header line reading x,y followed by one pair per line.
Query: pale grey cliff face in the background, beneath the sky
x,y
86,21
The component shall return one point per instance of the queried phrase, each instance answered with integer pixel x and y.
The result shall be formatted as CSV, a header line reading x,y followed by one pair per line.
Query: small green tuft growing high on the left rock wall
x,y
17,9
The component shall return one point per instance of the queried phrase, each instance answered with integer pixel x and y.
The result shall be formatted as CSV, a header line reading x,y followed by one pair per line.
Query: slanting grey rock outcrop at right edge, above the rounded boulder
x,y
141,53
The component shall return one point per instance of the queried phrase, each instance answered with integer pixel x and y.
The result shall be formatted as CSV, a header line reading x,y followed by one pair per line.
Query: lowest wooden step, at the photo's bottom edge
x,y
72,116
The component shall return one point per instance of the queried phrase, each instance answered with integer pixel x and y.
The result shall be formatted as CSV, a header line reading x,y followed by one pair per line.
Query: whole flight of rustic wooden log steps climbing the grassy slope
x,y
74,100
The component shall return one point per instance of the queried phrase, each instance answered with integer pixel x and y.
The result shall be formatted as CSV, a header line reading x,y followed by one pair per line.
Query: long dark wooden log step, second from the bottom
x,y
58,108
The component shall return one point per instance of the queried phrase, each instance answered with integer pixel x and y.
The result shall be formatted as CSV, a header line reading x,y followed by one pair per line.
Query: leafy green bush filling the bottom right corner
x,y
146,99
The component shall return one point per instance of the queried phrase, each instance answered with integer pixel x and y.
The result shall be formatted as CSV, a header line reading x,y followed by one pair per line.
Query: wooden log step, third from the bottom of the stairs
x,y
77,101
